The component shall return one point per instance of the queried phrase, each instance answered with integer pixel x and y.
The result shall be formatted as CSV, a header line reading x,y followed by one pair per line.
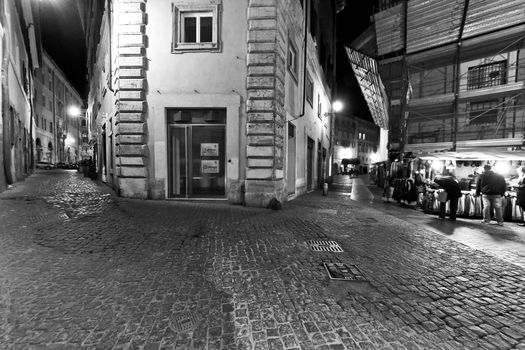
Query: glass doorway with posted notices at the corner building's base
x,y
197,142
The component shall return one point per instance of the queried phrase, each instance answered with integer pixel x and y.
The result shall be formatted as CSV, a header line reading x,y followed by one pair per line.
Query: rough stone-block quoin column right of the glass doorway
x,y
265,104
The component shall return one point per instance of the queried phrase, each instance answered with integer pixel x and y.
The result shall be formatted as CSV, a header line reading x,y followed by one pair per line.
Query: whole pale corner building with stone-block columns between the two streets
x,y
215,99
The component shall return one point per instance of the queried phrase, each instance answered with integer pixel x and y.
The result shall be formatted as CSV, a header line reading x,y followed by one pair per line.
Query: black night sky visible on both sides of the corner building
x,y
63,40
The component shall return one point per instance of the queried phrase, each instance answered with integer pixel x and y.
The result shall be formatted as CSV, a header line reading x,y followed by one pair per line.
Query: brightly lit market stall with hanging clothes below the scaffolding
x,y
413,177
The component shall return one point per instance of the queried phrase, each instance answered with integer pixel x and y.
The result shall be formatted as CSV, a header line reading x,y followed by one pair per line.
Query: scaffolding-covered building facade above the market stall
x,y
454,73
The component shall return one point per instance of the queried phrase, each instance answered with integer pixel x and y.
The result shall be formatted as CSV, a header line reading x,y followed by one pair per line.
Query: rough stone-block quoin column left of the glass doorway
x,y
130,111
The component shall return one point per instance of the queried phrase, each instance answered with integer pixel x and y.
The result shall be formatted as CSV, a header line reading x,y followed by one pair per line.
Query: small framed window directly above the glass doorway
x,y
196,28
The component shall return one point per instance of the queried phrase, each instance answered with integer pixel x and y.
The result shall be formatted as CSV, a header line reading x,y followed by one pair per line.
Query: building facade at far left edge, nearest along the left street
x,y
19,52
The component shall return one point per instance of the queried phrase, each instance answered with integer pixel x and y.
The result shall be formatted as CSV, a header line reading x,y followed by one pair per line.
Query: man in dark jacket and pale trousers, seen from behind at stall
x,y
492,186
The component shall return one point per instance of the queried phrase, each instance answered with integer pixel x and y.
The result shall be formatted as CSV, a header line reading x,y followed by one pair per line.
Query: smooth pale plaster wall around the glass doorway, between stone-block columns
x,y
196,80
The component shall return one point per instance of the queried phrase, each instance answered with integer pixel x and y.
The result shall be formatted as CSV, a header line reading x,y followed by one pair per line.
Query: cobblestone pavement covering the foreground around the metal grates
x,y
81,268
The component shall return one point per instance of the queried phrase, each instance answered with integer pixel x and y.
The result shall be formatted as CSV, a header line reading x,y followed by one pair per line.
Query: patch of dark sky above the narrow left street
x,y
63,39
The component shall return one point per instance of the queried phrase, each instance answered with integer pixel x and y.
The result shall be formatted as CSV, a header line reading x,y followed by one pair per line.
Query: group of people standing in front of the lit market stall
x,y
490,185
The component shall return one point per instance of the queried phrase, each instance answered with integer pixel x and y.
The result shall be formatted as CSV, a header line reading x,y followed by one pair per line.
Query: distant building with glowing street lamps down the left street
x,y
57,121
